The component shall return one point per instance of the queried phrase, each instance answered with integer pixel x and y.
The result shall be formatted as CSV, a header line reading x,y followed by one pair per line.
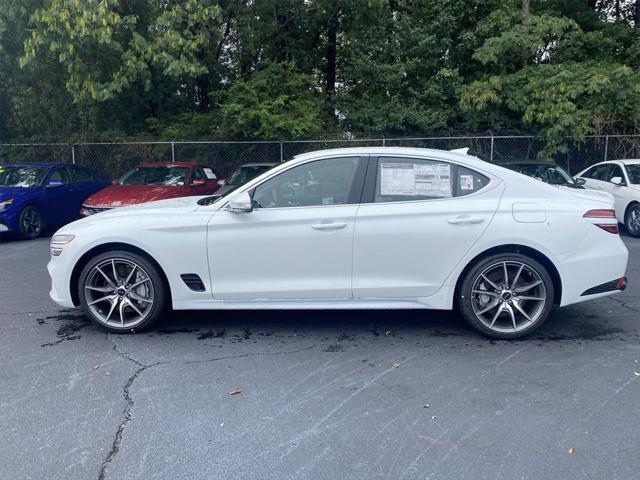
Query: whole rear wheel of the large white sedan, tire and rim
x,y
470,304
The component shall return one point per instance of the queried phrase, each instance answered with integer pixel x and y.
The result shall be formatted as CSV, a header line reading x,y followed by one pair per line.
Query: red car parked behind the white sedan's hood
x,y
153,181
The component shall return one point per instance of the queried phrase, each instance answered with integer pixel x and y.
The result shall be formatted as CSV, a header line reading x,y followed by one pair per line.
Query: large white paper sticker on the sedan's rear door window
x,y
432,180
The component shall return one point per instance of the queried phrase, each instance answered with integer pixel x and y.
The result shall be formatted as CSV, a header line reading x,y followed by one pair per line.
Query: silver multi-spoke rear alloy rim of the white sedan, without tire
x,y
508,296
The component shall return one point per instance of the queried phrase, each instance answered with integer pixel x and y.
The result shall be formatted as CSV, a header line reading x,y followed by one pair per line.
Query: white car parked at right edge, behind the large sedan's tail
x,y
620,178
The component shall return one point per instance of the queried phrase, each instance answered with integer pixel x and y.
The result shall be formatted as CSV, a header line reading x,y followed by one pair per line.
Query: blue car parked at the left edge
x,y
39,195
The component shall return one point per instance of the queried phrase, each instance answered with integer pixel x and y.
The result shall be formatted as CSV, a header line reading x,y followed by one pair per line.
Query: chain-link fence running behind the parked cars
x,y
115,158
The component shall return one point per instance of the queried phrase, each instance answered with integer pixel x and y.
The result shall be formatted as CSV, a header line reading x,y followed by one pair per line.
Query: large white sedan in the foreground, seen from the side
x,y
355,228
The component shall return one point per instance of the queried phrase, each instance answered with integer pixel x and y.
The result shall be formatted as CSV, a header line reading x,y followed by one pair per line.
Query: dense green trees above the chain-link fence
x,y
99,69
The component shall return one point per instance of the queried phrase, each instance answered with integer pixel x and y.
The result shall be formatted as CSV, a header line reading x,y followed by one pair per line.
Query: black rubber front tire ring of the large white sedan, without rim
x,y
159,287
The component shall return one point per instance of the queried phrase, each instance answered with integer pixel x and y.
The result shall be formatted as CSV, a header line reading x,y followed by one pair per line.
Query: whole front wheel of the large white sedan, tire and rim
x,y
122,291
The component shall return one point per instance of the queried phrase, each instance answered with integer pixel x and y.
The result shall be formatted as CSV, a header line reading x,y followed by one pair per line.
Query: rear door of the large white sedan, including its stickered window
x,y
421,216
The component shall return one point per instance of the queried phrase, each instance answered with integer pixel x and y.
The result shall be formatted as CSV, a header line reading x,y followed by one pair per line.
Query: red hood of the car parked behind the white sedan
x,y
120,195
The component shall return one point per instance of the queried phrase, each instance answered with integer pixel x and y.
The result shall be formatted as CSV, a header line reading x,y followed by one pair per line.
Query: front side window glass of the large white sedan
x,y
322,182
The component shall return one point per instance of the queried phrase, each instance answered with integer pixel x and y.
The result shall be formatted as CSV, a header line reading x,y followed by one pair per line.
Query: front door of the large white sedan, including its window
x,y
297,242
